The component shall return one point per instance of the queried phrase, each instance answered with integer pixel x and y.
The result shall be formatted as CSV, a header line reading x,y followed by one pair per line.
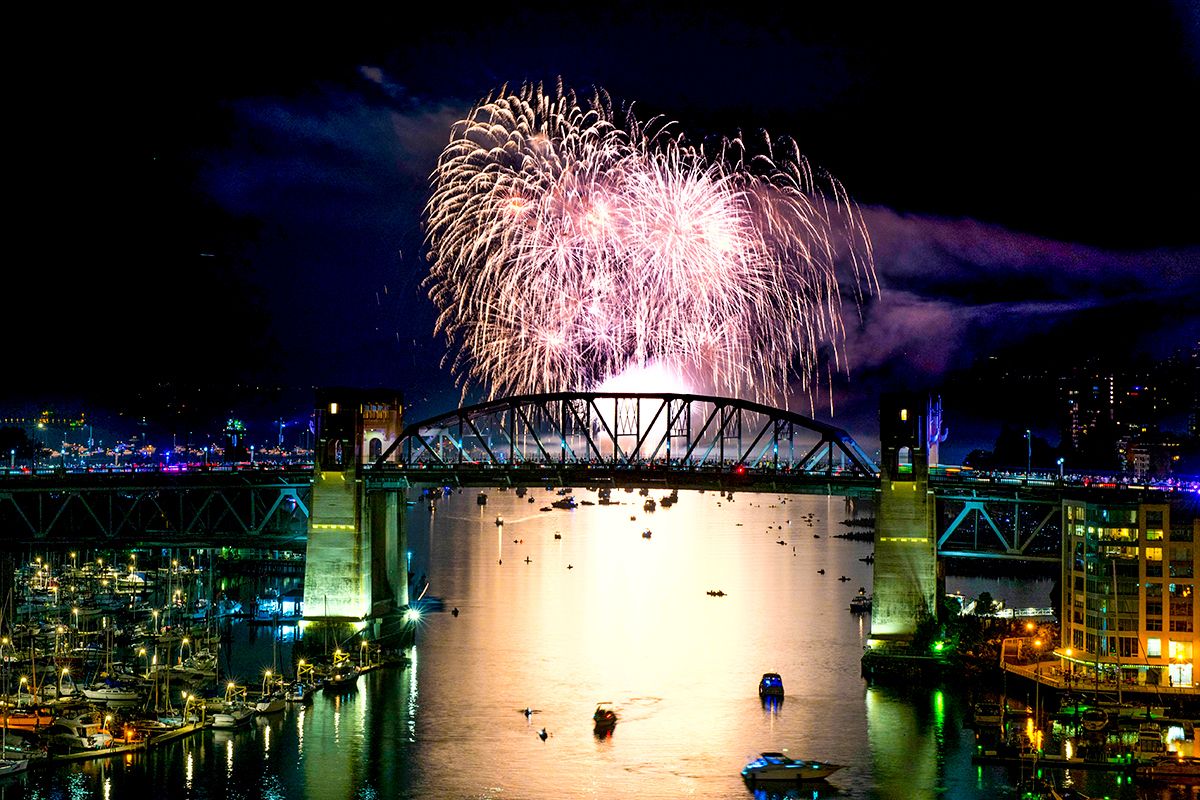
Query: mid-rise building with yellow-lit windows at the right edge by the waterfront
x,y
1129,586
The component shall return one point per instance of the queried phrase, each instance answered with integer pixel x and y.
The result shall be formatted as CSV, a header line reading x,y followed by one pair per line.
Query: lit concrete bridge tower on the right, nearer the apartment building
x,y
909,579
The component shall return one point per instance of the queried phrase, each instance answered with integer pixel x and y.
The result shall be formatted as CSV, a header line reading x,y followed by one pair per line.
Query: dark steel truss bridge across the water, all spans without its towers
x,y
587,441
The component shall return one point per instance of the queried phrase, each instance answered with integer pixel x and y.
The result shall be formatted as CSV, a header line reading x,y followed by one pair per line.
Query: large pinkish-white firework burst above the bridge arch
x,y
571,244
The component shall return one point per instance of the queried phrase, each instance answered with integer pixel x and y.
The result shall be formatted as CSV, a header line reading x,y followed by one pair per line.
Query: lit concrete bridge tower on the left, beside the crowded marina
x,y
355,570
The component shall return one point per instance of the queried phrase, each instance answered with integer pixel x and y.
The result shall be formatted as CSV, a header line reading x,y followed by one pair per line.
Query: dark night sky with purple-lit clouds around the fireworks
x,y
227,201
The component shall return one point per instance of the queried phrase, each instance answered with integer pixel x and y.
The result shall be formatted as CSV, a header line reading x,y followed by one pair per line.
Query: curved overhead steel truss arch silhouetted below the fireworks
x,y
635,431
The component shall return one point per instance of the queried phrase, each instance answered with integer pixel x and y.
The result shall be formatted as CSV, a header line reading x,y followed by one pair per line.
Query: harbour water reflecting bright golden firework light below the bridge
x,y
601,613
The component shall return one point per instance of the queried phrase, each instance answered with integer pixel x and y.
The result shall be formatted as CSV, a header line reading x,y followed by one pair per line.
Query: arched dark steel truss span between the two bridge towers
x,y
605,440
